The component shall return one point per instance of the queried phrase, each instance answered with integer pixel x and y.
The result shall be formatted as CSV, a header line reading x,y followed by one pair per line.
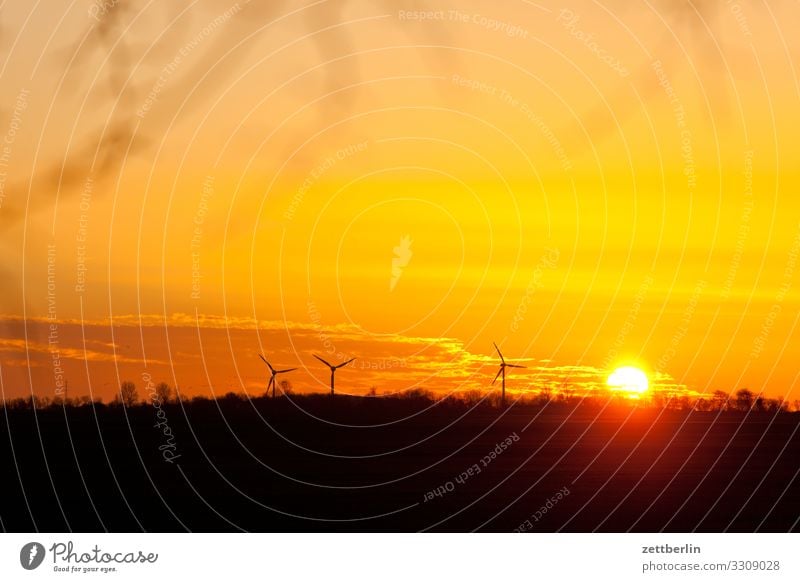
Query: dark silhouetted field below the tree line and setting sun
x,y
316,463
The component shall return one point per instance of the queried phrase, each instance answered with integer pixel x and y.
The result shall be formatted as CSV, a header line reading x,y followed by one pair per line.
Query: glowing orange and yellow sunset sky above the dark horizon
x,y
586,186
